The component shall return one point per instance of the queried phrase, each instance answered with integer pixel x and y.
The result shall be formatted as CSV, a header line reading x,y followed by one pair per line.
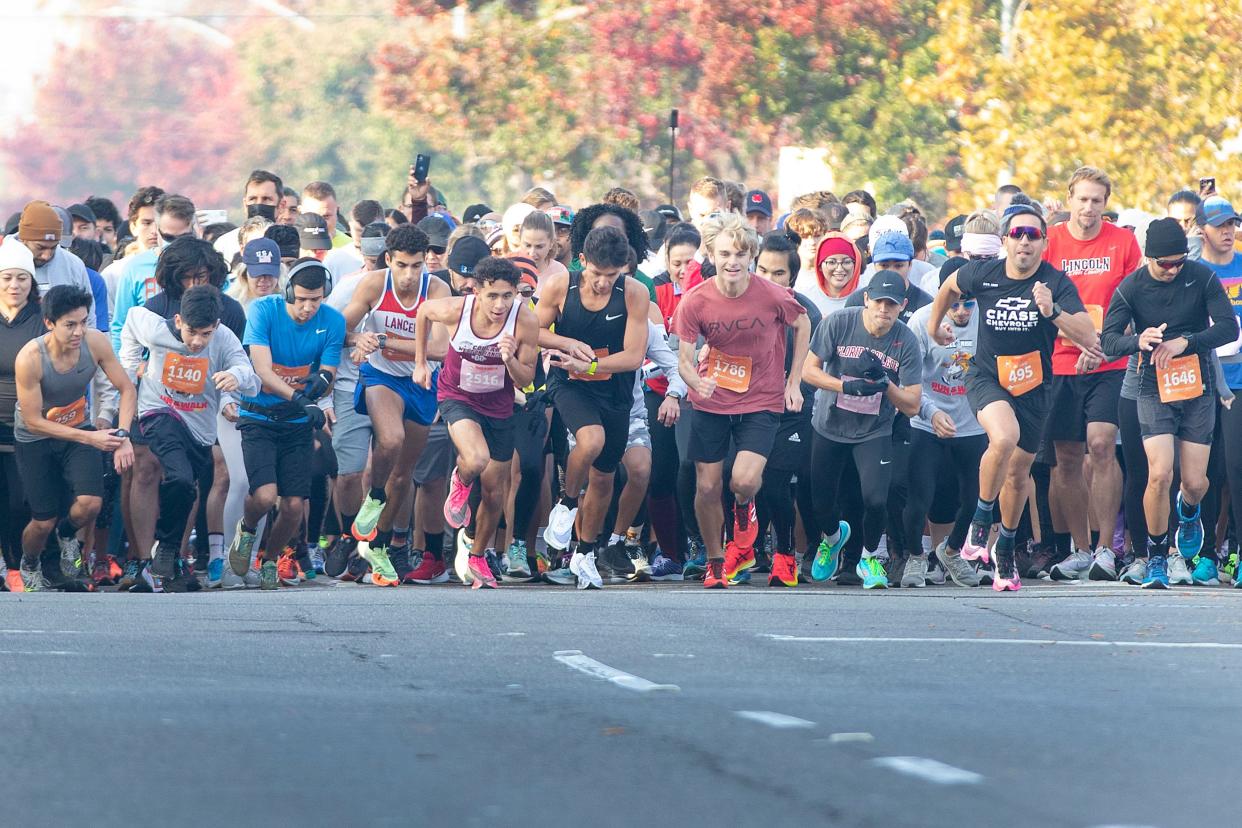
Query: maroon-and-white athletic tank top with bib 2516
x,y
474,372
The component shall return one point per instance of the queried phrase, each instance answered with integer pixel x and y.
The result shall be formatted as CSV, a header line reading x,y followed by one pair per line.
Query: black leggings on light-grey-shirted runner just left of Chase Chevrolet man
x,y
931,461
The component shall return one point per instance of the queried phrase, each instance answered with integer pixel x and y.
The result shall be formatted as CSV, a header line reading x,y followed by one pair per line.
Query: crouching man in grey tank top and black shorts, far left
x,y
59,451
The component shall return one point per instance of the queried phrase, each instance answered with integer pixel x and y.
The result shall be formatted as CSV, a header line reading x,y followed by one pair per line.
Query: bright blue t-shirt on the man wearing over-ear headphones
x,y
299,352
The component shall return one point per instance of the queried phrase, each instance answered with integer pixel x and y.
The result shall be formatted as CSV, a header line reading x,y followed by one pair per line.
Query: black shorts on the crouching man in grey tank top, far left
x,y
55,472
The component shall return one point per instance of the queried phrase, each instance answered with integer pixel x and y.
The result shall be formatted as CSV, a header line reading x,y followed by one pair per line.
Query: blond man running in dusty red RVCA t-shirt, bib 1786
x,y
738,390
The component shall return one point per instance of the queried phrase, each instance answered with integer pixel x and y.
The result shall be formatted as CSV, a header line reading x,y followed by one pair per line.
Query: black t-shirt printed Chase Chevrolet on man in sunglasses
x,y
1010,323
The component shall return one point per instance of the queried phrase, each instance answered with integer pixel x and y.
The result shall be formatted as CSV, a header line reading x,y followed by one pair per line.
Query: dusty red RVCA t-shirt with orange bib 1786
x,y
746,337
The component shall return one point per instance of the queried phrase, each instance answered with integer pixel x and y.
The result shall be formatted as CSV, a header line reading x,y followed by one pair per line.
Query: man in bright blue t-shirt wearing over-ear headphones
x,y
295,346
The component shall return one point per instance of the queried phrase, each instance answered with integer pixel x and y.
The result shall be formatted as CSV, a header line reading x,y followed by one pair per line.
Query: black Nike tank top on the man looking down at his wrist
x,y
604,332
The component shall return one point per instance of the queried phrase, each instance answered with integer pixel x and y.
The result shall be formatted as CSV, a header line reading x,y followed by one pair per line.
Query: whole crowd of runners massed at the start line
x,y
614,395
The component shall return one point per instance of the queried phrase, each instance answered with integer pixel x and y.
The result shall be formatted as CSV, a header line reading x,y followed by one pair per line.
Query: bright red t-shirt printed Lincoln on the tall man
x,y
1096,268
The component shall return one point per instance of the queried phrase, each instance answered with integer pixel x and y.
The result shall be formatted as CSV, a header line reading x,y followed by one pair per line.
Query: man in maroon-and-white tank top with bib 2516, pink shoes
x,y
494,349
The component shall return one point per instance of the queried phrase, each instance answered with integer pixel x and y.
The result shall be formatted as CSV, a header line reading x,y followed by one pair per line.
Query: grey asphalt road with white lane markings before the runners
x,y
1075,706
